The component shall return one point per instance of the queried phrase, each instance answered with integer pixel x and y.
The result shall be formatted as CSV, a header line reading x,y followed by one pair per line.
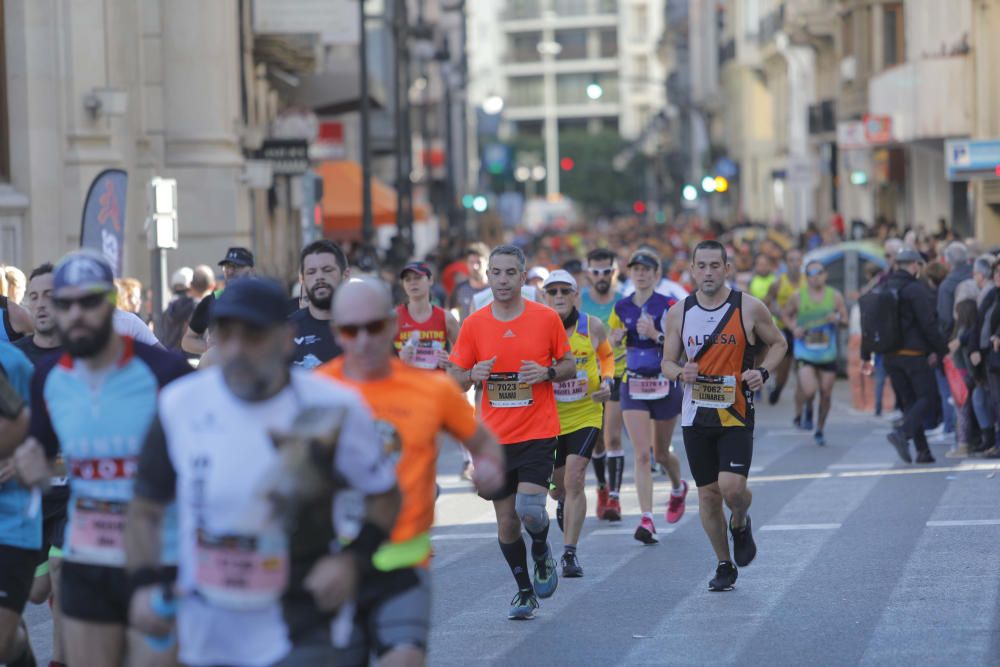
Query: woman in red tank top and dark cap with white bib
x,y
426,332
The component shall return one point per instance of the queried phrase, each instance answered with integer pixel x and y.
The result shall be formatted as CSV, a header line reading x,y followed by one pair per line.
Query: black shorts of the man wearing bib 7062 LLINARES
x,y
715,449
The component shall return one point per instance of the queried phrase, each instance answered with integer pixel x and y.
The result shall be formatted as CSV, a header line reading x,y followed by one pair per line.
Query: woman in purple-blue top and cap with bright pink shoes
x,y
650,402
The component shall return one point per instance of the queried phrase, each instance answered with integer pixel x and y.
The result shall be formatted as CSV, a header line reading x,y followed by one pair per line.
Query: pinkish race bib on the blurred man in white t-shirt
x,y
241,572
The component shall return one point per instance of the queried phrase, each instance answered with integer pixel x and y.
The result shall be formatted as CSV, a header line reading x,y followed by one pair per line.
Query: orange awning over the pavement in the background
x,y
341,203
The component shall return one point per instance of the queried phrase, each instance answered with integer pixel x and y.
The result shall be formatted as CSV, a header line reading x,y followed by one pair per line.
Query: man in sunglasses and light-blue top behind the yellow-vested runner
x,y
599,300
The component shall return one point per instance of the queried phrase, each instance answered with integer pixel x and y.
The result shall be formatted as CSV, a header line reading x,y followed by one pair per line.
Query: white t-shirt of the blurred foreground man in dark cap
x,y
220,449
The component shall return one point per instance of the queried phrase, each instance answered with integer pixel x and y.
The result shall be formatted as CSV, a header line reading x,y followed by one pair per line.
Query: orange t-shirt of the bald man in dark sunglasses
x,y
411,407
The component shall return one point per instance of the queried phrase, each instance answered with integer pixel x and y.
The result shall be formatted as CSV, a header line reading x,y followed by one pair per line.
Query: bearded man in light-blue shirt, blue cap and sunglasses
x,y
94,404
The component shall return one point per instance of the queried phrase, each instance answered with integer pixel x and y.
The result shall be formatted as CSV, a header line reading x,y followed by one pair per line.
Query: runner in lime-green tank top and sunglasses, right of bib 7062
x,y
818,311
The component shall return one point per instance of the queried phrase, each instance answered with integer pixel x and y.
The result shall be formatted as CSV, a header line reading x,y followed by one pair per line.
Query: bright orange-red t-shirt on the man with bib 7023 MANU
x,y
513,411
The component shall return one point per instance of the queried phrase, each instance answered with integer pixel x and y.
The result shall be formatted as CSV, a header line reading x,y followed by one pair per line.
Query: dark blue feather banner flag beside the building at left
x,y
103,226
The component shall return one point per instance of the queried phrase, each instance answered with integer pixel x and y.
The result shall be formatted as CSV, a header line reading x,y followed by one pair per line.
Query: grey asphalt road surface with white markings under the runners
x,y
862,560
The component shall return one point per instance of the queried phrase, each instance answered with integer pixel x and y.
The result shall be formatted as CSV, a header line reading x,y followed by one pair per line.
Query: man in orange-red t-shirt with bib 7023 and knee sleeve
x,y
517,349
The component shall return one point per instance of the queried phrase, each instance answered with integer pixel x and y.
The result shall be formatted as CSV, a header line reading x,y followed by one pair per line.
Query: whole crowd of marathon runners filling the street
x,y
263,493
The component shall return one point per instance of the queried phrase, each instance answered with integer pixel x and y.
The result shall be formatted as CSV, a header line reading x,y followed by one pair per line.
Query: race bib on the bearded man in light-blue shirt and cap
x,y
97,534
